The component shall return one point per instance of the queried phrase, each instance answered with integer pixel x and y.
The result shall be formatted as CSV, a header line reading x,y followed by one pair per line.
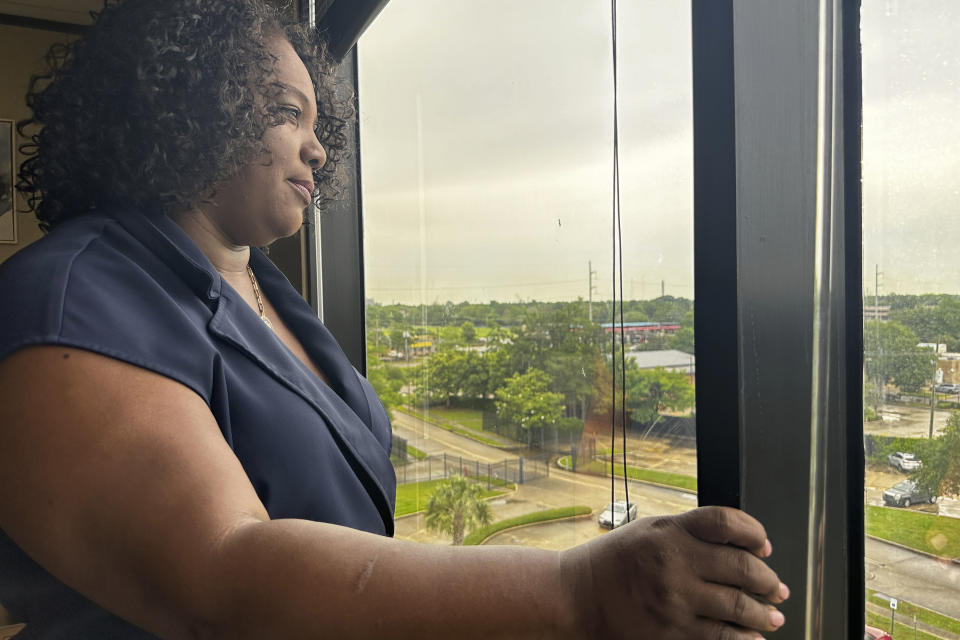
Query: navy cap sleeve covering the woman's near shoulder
x,y
92,284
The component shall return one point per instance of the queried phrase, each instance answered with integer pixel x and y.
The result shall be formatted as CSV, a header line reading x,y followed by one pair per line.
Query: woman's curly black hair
x,y
158,101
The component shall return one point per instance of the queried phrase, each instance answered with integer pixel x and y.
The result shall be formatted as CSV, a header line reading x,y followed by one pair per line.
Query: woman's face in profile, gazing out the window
x,y
265,201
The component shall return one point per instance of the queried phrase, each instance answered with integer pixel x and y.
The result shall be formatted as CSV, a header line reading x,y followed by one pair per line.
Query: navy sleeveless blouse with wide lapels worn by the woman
x,y
136,288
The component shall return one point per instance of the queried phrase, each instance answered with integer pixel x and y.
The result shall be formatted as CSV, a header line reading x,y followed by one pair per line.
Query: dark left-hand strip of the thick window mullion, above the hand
x,y
715,254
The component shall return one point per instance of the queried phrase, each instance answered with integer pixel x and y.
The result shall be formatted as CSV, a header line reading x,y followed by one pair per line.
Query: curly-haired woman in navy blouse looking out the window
x,y
186,451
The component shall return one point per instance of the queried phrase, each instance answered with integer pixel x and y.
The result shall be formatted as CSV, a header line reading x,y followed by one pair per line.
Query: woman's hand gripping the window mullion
x,y
676,577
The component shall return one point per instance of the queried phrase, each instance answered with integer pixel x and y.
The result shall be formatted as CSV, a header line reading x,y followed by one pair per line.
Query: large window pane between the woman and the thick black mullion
x,y
487,138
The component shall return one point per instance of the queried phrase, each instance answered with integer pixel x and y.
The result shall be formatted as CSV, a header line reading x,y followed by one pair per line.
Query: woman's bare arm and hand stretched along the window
x,y
119,482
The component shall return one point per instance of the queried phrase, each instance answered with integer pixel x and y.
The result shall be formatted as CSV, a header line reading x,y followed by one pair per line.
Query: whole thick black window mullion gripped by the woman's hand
x,y
755,111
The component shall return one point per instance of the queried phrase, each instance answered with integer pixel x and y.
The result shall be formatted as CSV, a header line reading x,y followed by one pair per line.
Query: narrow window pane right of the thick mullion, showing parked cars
x,y
911,164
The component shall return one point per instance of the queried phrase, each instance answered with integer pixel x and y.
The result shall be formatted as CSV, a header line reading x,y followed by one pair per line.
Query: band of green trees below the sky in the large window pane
x,y
546,366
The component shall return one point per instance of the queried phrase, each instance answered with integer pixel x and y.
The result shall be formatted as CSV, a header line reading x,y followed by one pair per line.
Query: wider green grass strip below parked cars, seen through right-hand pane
x,y
934,534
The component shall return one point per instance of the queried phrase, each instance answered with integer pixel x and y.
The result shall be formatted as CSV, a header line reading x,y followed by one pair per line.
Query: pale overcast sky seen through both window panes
x,y
487,144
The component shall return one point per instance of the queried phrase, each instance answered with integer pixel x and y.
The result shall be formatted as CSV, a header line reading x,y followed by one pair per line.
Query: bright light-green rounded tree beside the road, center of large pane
x,y
526,401
